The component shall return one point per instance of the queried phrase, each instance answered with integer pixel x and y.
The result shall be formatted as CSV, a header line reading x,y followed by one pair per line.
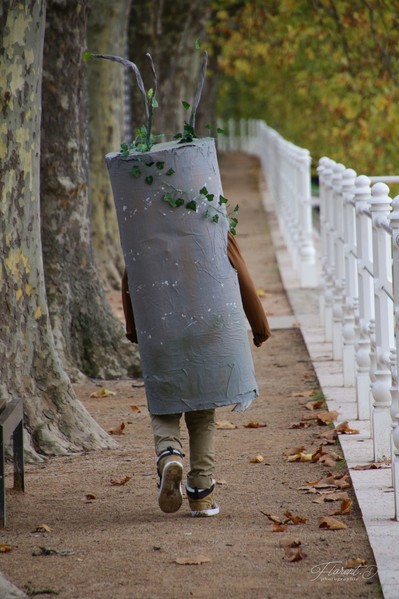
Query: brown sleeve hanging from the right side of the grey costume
x,y
250,300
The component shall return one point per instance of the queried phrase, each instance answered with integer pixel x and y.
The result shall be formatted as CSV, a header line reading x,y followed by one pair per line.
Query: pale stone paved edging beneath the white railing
x,y
373,488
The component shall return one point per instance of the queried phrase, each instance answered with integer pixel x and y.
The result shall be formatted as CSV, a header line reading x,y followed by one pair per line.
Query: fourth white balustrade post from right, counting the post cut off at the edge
x,y
351,291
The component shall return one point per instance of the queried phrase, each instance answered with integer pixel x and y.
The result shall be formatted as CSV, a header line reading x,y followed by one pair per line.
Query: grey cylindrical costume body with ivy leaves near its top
x,y
190,323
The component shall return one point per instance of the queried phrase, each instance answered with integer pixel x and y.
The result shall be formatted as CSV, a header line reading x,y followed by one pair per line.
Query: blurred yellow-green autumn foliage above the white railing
x,y
323,73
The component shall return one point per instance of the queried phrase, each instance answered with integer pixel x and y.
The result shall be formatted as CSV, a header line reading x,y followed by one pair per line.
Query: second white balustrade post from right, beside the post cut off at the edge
x,y
382,269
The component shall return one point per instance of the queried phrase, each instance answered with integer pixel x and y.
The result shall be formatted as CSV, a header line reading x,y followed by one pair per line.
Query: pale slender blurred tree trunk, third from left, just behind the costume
x,y
107,34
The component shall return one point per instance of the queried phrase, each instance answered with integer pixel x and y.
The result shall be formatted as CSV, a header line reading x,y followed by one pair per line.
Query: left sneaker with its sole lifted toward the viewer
x,y
170,471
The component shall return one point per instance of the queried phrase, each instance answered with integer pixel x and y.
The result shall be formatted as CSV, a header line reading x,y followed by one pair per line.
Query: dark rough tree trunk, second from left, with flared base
x,y
88,337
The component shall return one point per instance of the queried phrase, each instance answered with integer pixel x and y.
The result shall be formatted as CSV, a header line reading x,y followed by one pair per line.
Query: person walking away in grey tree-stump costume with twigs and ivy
x,y
189,291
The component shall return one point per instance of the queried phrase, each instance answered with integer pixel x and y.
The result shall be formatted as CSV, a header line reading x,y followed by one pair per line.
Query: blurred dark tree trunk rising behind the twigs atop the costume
x,y
168,31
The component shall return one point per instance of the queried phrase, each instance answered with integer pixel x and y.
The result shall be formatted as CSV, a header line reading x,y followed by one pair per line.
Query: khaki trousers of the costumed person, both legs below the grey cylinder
x,y
201,430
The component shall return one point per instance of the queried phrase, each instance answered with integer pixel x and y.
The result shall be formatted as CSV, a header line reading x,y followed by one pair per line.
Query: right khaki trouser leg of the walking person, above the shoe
x,y
201,429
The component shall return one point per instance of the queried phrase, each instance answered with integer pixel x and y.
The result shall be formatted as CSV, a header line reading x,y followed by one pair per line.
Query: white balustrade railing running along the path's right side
x,y
359,261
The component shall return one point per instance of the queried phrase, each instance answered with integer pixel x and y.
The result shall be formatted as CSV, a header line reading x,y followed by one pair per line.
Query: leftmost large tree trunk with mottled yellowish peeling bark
x,y
56,422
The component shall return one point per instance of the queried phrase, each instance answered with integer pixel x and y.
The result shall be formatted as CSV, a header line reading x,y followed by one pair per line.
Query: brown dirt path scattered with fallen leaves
x,y
119,545
